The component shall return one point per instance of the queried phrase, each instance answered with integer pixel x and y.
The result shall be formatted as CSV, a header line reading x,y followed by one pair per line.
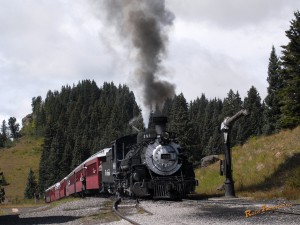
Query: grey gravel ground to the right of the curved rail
x,y
215,212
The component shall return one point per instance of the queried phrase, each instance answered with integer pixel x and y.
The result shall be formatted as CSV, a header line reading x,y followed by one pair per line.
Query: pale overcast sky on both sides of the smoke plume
x,y
214,46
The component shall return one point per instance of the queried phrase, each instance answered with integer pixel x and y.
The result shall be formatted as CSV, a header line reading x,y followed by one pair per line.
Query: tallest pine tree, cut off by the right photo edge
x,y
290,92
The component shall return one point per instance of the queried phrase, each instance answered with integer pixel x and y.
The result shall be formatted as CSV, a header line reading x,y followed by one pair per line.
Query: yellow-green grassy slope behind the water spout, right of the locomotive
x,y
264,167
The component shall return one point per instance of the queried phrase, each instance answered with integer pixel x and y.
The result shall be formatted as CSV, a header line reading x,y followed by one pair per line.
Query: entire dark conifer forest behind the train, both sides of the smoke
x,y
80,120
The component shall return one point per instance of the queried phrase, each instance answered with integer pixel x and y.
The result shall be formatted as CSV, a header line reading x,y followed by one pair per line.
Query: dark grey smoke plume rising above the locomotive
x,y
145,24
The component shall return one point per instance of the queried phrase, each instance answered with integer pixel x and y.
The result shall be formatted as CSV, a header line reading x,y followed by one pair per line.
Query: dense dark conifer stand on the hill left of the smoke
x,y
78,121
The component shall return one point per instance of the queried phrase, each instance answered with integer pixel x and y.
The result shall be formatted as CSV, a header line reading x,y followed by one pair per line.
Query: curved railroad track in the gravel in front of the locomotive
x,y
128,207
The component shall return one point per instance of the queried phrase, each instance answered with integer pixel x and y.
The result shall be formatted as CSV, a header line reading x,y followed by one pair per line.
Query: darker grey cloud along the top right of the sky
x,y
232,14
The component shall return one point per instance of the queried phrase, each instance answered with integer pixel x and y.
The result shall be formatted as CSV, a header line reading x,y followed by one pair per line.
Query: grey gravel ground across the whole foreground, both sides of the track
x,y
90,211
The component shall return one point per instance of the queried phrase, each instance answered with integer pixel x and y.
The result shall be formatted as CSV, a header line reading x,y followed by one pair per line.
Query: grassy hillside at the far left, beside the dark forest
x,y
15,163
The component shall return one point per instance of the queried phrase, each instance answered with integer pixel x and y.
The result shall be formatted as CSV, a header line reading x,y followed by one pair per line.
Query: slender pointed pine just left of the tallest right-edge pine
x,y
272,111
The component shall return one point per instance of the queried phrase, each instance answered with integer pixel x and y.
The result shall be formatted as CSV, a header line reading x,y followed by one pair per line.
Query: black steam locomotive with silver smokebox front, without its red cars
x,y
148,164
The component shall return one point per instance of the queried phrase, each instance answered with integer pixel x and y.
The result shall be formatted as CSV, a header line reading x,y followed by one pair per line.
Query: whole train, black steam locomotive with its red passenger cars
x,y
147,164
